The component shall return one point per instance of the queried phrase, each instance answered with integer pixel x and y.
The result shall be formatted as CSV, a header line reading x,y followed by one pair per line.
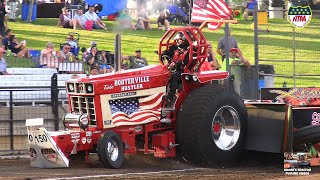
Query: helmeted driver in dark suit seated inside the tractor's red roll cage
x,y
178,56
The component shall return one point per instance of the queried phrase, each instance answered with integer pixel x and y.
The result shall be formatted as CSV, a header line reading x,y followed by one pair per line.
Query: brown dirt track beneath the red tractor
x,y
146,167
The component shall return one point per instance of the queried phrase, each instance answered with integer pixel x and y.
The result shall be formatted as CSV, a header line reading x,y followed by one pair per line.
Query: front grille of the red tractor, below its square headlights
x,y
84,105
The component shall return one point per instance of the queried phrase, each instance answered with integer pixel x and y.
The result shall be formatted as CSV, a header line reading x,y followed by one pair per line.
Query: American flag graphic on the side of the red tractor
x,y
132,111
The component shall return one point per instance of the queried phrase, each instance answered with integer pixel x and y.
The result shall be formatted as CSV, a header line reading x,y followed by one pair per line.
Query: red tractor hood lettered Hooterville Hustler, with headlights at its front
x,y
122,81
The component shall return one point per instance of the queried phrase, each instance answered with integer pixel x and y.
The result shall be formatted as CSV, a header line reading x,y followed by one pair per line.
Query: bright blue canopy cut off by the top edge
x,y
109,6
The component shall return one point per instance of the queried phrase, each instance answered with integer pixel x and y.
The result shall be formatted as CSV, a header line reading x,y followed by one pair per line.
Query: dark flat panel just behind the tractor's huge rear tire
x,y
266,127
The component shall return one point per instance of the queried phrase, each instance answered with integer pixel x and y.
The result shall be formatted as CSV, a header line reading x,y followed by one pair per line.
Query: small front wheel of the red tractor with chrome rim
x,y
110,150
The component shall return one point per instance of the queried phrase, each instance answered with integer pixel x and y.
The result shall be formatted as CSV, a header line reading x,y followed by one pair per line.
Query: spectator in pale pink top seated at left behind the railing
x,y
48,57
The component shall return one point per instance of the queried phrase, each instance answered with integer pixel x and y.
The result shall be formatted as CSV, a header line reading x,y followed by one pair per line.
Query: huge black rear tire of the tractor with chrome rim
x,y
211,125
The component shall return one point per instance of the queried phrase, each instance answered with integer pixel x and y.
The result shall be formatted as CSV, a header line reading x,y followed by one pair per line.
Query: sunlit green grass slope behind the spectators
x,y
276,45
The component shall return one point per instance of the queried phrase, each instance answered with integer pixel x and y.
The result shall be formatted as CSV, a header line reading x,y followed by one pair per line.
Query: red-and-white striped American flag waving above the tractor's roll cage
x,y
210,9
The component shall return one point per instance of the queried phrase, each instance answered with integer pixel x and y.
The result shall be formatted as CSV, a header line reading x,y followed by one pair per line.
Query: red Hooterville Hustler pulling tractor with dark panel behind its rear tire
x,y
123,112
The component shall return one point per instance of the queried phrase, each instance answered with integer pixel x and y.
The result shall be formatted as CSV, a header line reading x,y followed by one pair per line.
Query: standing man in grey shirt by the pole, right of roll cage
x,y
221,49
